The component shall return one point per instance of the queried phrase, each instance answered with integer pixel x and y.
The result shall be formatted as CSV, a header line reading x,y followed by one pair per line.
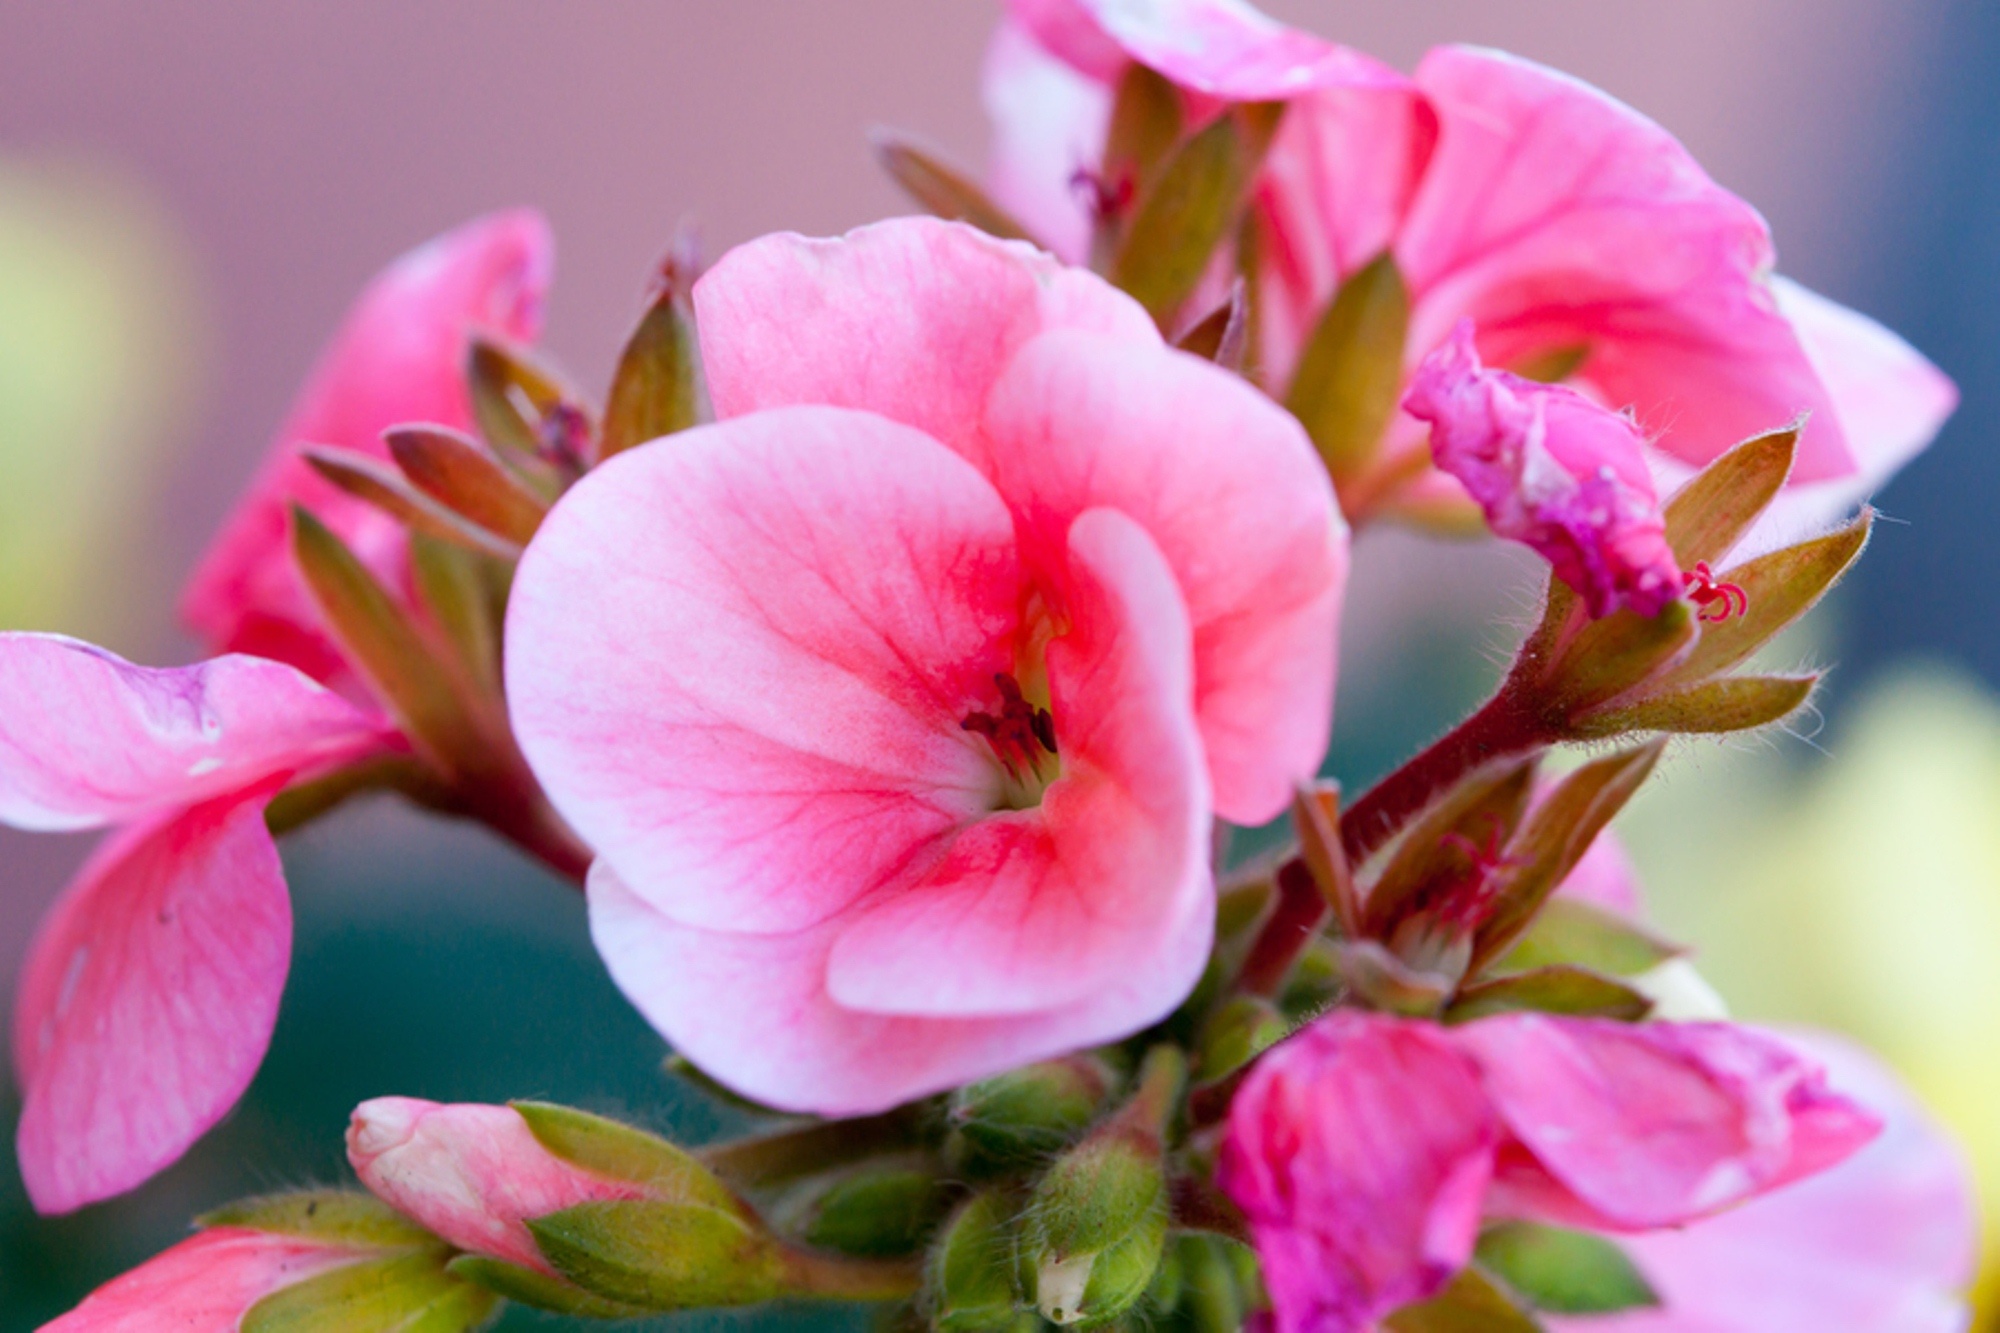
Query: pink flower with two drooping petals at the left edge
x,y
153,984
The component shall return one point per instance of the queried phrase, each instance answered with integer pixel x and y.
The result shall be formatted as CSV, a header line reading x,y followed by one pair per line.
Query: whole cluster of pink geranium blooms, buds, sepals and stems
x,y
889,651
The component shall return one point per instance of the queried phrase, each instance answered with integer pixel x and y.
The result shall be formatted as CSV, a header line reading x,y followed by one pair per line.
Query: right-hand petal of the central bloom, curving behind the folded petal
x,y
1239,503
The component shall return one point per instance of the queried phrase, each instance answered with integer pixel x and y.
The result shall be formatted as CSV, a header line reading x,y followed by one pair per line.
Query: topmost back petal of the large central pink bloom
x,y
913,319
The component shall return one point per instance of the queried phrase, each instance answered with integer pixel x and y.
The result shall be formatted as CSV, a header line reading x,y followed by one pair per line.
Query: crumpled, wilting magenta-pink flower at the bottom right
x,y
1367,1150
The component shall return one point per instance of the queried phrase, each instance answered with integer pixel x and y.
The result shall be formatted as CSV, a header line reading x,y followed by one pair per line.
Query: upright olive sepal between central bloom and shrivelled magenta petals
x,y
1349,377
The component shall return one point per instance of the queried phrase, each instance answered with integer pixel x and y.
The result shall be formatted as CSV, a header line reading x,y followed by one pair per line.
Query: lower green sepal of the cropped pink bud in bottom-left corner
x,y
407,1294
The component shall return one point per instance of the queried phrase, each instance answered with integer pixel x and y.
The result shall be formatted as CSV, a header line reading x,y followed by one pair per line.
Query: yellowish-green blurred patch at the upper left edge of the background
x,y
101,349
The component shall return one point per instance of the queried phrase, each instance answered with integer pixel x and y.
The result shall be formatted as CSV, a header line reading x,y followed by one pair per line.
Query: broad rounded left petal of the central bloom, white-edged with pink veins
x,y
739,661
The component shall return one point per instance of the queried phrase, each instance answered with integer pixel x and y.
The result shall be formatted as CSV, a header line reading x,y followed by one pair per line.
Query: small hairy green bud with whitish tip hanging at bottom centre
x,y
1097,1224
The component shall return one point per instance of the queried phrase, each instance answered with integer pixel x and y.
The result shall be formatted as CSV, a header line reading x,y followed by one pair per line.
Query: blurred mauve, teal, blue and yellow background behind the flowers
x,y
193,193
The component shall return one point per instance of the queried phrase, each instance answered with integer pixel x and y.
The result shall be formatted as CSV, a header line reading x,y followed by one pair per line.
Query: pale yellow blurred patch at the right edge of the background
x,y
1857,892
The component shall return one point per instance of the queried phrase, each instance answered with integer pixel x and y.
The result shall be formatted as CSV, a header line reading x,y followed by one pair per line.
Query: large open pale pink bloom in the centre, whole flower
x,y
897,702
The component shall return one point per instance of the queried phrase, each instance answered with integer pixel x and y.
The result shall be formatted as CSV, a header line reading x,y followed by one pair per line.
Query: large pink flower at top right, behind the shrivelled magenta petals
x,y
1561,221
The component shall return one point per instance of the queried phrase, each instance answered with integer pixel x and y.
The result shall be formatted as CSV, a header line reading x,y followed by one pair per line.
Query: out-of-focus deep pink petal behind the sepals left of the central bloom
x,y
399,357
